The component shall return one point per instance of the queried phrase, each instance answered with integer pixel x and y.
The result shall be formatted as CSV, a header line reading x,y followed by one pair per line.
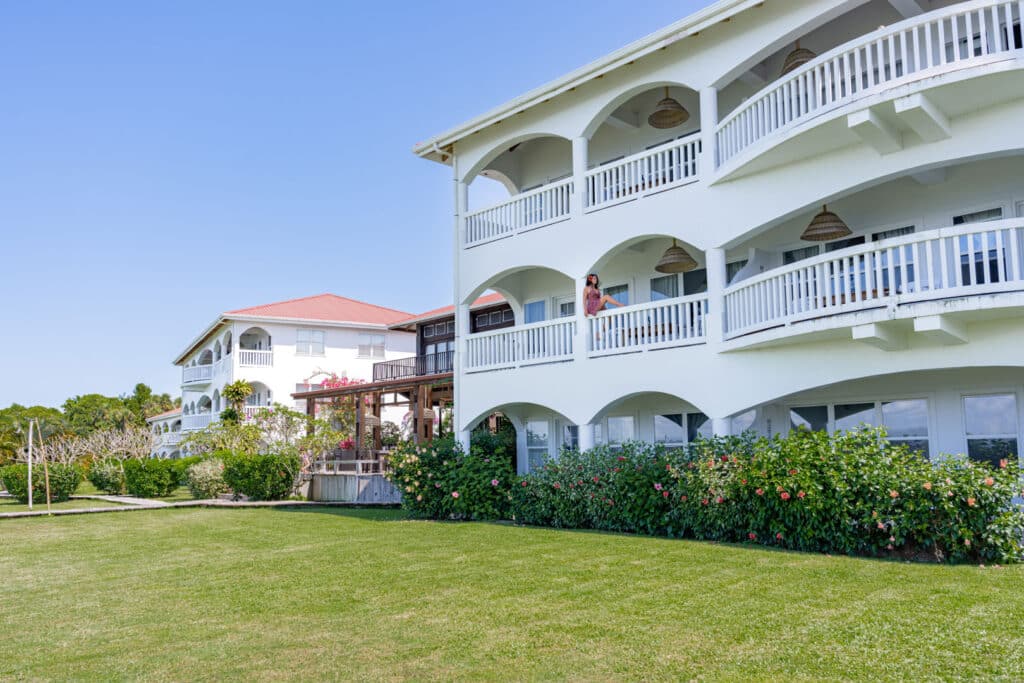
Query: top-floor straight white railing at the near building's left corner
x,y
524,212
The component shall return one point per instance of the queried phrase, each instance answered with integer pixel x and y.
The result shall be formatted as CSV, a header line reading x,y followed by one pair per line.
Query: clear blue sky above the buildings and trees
x,y
162,162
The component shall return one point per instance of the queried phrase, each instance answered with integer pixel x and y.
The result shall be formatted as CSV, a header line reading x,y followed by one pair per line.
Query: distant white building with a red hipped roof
x,y
285,348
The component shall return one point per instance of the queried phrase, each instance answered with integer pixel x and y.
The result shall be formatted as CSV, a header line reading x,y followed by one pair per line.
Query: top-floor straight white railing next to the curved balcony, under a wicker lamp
x,y
654,170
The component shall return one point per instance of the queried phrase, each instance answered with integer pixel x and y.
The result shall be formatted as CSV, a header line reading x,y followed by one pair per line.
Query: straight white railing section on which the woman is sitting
x,y
678,322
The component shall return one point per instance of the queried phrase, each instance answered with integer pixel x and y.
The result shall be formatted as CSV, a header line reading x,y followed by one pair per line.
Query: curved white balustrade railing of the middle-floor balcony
x,y
965,261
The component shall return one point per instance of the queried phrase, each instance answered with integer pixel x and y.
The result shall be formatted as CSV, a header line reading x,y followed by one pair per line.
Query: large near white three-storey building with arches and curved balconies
x,y
812,208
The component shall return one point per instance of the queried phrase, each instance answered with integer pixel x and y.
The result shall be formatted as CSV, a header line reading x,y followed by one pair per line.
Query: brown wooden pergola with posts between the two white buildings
x,y
422,394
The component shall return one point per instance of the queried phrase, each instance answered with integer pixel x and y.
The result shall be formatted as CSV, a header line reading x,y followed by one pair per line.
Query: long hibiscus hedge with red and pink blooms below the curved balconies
x,y
850,493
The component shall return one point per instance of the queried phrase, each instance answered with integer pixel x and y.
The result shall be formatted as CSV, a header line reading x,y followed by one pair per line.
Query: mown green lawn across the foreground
x,y
201,594
